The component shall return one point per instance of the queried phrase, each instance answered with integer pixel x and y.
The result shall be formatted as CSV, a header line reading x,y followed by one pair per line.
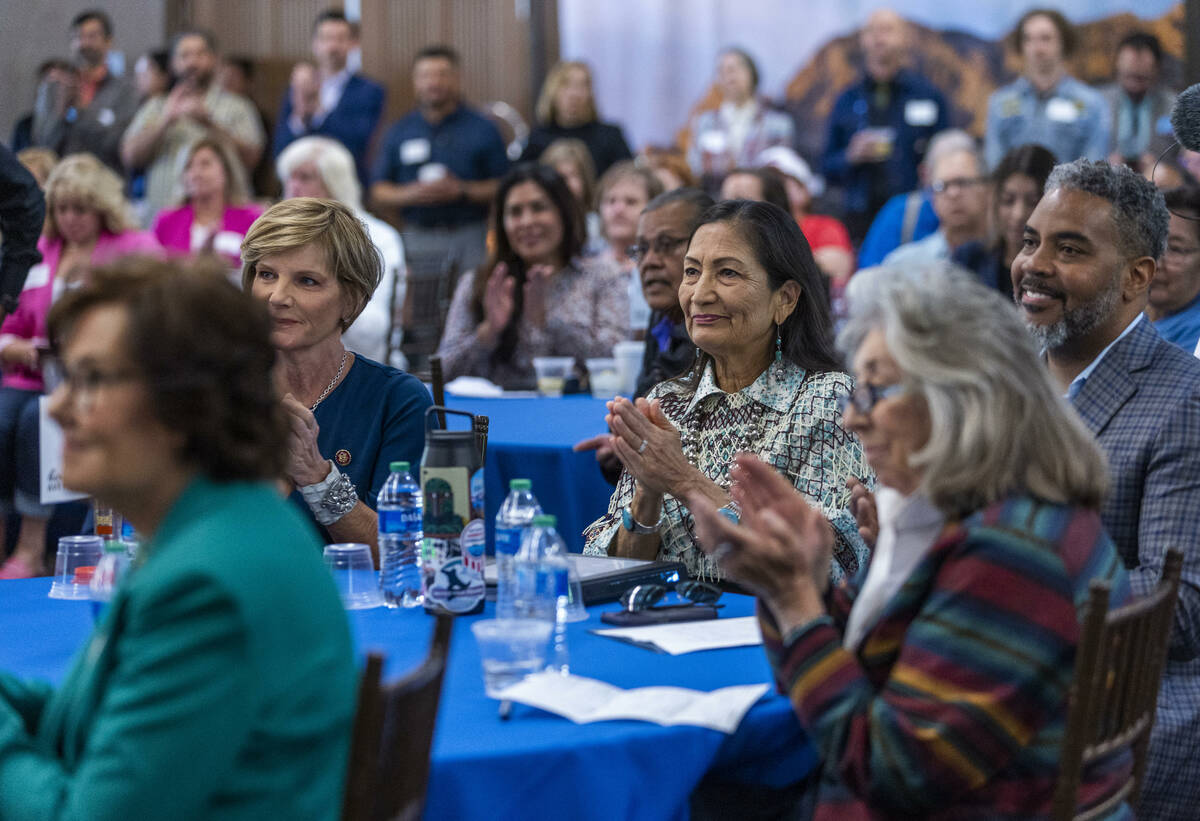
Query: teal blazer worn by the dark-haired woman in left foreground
x,y
219,685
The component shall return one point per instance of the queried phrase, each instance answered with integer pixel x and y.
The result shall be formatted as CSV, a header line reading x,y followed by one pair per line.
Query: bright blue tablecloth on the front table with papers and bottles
x,y
536,765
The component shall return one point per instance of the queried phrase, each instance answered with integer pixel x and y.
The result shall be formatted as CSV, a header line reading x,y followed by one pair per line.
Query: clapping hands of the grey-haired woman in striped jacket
x,y
783,547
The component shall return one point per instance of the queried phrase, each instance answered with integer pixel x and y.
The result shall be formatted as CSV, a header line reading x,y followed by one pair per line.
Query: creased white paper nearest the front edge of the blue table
x,y
586,700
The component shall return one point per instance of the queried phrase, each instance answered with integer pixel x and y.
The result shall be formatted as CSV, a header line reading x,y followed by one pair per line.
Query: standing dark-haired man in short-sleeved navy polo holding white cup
x,y
440,165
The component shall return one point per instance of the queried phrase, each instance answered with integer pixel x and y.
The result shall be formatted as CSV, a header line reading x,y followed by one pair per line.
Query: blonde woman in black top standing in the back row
x,y
567,109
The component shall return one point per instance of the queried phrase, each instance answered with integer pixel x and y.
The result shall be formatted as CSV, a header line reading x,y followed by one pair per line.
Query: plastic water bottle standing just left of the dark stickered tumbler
x,y
399,507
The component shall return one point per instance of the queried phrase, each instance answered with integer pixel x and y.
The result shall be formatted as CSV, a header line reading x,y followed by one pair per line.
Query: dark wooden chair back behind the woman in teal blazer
x,y
393,738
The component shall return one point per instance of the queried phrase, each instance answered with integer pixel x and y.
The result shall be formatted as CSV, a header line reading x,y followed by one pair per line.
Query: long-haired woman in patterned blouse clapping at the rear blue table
x,y
535,297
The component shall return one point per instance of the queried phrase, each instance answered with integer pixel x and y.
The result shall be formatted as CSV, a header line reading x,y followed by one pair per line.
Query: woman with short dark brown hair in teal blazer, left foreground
x,y
220,681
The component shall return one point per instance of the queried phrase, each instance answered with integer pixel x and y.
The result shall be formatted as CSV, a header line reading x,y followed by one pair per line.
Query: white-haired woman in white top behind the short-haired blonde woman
x,y
323,167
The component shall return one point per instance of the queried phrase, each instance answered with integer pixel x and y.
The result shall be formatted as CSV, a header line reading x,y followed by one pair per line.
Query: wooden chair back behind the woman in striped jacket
x,y
1119,667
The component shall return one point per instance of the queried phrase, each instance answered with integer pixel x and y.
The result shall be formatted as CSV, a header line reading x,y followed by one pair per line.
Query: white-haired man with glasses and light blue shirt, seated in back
x,y
959,189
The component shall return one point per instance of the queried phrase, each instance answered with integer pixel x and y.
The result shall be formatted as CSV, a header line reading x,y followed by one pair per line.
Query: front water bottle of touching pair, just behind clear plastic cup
x,y
543,589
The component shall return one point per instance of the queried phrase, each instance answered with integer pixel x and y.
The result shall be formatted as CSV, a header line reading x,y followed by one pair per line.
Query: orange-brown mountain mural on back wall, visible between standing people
x,y
965,67
